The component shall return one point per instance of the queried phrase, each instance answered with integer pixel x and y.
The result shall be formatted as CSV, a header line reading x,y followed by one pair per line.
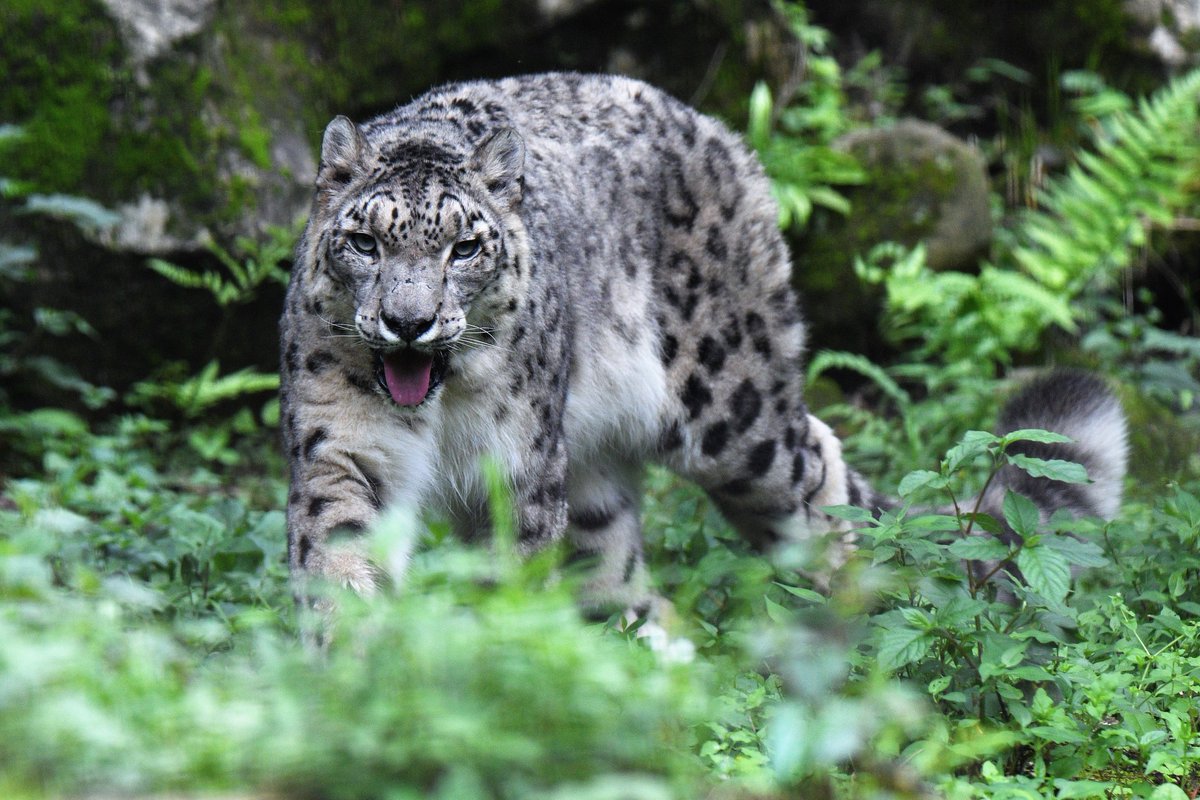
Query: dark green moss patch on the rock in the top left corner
x,y
91,129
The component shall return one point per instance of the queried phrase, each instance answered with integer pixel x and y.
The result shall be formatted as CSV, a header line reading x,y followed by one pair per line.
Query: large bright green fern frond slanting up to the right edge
x,y
1090,226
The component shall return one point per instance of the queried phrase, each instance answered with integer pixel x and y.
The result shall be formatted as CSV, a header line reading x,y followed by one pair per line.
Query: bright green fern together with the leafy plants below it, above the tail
x,y
961,330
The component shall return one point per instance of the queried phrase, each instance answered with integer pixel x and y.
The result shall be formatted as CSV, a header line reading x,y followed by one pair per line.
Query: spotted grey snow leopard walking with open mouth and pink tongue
x,y
577,276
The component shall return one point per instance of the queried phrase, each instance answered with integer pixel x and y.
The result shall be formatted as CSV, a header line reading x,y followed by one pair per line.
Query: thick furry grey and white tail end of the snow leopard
x,y
1079,406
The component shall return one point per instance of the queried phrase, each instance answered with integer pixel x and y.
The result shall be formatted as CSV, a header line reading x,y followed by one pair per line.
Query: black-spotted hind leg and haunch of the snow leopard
x,y
733,344
